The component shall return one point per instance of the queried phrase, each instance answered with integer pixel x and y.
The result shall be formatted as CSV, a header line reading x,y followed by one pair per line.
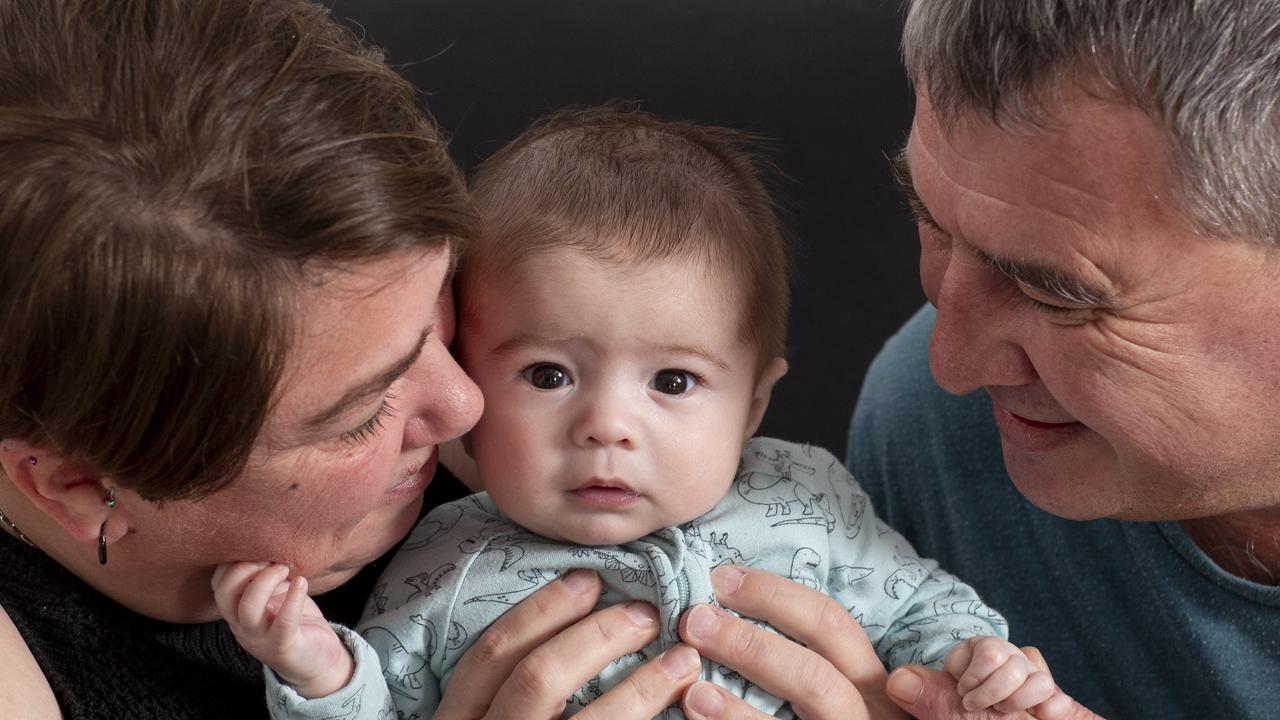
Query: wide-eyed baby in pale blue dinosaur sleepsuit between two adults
x,y
624,315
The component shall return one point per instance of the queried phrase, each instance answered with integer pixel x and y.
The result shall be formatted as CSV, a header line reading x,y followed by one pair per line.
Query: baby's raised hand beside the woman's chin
x,y
280,625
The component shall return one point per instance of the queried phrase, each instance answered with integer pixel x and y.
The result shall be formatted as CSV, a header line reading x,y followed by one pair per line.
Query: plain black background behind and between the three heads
x,y
820,78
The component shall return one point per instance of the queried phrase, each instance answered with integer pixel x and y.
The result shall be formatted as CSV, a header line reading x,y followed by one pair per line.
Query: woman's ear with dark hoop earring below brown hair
x,y
71,493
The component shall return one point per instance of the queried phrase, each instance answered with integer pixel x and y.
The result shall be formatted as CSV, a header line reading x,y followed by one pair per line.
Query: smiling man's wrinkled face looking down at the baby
x,y
1135,367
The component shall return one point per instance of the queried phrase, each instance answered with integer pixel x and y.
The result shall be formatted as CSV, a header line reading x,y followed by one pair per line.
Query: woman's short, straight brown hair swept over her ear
x,y
172,172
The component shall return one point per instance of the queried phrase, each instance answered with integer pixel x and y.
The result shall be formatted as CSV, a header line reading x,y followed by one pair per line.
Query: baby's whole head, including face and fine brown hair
x,y
624,313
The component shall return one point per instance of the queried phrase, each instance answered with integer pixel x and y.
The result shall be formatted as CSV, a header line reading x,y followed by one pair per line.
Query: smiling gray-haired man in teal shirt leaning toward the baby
x,y
1098,190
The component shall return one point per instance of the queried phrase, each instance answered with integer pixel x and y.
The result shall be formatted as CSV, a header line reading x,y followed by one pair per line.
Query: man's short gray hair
x,y
1208,71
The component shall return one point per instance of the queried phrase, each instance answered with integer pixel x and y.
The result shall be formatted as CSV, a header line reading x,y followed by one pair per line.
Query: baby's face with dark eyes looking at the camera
x,y
618,399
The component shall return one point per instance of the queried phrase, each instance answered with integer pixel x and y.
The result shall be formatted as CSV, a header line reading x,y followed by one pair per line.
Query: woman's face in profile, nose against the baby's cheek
x,y
337,477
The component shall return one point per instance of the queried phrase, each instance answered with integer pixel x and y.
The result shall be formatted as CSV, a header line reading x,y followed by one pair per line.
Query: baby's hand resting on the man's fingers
x,y
991,672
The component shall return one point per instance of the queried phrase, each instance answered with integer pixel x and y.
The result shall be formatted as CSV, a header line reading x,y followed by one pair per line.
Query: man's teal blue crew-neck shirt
x,y
1133,618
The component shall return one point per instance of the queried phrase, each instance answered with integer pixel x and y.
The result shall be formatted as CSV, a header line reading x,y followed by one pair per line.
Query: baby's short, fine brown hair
x,y
623,186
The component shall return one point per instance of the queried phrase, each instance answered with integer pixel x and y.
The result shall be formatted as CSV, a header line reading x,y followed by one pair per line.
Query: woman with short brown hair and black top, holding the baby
x,y
227,236
